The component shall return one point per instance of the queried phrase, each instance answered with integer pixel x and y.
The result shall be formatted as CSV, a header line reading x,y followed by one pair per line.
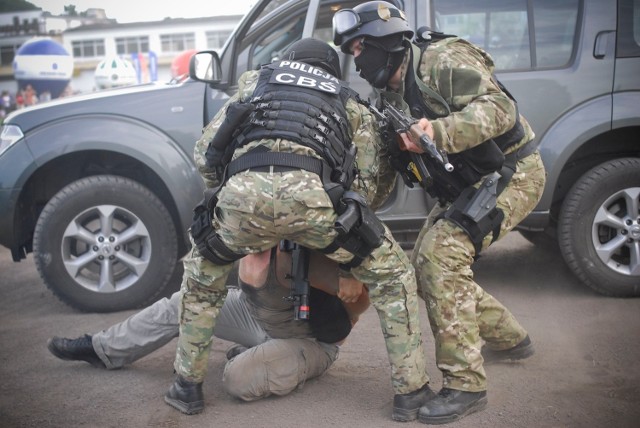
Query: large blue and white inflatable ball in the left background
x,y
44,64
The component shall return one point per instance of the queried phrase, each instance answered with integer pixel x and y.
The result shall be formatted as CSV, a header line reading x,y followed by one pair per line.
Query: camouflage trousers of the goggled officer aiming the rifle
x,y
462,315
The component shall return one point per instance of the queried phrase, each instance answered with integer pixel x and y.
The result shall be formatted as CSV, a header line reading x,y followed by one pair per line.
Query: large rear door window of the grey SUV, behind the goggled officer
x,y
505,29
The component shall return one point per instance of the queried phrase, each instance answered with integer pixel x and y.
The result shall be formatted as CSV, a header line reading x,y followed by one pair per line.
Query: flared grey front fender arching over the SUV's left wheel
x,y
129,149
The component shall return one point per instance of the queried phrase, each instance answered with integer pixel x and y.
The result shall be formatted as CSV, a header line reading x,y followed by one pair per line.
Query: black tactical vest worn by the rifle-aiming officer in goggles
x,y
470,165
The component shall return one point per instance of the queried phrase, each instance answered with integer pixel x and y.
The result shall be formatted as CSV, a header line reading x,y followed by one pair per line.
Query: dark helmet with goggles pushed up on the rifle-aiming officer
x,y
372,19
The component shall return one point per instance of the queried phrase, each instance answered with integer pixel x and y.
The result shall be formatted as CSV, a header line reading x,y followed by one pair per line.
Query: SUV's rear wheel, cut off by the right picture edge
x,y
599,228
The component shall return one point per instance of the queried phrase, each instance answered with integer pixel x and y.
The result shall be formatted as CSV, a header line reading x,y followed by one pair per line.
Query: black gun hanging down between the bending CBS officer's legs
x,y
299,276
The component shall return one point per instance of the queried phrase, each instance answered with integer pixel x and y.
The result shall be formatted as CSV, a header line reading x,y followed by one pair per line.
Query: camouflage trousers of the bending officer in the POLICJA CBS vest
x,y
255,211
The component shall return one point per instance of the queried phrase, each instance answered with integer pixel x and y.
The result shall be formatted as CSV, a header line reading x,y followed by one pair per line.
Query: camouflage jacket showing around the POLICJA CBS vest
x,y
375,178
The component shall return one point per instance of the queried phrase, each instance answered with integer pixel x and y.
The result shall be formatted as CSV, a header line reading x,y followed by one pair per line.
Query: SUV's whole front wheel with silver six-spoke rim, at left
x,y
105,243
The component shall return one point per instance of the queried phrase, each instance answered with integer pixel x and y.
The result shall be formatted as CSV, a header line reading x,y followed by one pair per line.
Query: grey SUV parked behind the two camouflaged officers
x,y
101,187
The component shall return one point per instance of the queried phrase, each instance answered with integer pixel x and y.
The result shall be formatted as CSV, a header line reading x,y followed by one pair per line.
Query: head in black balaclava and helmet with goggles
x,y
377,34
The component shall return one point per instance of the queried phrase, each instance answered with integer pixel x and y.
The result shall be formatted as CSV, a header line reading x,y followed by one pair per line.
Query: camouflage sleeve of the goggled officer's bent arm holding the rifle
x,y
462,74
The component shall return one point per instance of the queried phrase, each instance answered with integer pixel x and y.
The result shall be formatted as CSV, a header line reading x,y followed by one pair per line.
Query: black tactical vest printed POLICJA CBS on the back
x,y
306,105
